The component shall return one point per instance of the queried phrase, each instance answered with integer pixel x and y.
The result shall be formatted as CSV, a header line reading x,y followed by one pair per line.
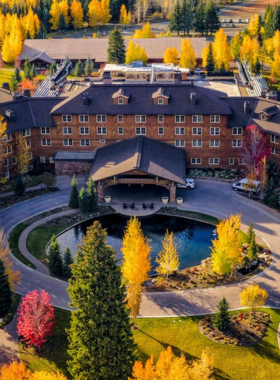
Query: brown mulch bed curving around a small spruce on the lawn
x,y
246,330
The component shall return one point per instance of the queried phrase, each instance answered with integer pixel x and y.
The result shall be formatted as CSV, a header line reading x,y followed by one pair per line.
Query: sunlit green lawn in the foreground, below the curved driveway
x,y
154,335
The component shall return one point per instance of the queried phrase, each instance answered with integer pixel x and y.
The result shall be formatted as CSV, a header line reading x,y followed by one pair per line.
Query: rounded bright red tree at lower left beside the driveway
x,y
36,319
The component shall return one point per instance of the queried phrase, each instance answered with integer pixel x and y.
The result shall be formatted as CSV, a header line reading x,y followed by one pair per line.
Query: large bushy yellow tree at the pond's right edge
x,y
226,250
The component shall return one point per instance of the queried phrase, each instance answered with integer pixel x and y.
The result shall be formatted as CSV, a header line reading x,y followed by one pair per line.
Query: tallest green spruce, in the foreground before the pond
x,y
100,339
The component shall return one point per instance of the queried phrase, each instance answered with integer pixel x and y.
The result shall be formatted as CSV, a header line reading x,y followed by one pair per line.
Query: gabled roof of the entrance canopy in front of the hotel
x,y
141,153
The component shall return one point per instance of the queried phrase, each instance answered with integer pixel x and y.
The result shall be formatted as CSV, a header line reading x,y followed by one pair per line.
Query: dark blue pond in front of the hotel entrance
x,y
193,238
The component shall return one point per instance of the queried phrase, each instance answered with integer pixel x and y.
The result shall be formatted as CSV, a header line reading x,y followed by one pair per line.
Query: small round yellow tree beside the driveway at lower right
x,y
253,297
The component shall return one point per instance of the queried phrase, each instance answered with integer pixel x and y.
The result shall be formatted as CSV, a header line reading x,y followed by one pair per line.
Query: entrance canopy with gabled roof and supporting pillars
x,y
139,160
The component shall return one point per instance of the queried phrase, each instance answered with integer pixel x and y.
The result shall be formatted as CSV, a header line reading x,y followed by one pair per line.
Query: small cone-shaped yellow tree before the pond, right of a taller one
x,y
168,259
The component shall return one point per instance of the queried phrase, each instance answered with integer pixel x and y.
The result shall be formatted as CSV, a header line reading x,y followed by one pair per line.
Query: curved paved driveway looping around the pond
x,y
209,197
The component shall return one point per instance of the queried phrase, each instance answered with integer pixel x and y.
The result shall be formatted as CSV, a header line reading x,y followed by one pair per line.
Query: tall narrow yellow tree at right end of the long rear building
x,y
221,49
